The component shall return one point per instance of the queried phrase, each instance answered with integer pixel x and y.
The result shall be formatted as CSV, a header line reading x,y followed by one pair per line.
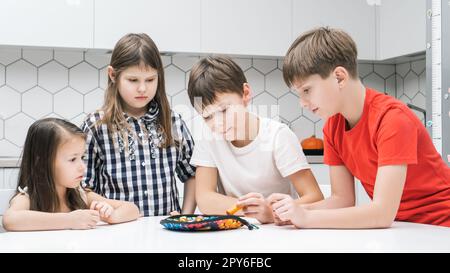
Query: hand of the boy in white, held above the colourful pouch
x,y
254,205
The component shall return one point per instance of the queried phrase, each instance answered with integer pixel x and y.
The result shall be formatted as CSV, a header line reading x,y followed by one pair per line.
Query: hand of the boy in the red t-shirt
x,y
286,210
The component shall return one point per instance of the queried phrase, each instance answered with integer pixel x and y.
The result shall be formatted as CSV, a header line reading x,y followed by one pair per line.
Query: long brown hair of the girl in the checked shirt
x,y
135,49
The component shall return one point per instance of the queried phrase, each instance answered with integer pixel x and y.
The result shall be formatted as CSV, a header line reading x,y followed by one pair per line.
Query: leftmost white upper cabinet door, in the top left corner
x,y
52,23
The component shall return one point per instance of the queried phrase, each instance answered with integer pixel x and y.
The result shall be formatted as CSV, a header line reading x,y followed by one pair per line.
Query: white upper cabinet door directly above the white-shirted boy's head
x,y
250,27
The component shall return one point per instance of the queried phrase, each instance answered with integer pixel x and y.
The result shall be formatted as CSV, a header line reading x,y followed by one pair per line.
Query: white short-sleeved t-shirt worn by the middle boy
x,y
261,166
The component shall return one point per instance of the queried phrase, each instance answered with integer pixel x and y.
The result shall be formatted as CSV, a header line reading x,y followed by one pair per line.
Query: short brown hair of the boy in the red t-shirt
x,y
320,51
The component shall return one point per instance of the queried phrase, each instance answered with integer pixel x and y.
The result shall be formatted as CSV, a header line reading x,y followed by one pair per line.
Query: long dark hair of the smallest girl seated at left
x,y
37,168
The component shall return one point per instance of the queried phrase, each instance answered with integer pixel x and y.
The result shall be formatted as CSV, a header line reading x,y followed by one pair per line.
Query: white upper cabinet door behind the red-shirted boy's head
x,y
356,17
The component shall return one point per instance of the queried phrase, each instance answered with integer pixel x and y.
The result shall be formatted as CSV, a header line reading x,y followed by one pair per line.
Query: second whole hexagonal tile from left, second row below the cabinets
x,y
53,76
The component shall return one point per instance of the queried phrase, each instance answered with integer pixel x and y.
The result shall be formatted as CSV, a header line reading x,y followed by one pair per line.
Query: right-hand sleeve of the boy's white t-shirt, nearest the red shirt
x,y
289,157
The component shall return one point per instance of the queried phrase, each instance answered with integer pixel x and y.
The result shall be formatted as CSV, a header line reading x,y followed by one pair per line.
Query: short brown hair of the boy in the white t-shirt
x,y
212,75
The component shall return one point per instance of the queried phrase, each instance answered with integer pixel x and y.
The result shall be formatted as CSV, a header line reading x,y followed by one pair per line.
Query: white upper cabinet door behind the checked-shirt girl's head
x,y
174,25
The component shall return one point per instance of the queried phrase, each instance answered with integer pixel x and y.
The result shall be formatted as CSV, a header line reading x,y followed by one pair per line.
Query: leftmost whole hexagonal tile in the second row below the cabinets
x,y
21,75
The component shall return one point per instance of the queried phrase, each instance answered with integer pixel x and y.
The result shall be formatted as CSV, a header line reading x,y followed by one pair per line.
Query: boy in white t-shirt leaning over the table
x,y
245,156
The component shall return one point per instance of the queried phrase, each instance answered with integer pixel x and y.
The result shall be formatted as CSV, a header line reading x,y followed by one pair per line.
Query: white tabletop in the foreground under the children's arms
x,y
147,235
